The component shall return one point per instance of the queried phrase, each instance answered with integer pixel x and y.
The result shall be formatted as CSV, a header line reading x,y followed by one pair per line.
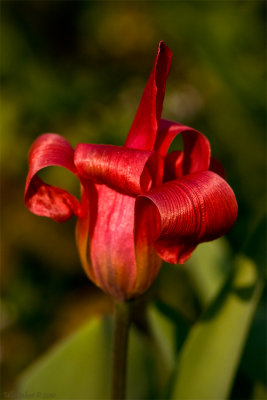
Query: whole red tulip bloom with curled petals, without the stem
x,y
139,205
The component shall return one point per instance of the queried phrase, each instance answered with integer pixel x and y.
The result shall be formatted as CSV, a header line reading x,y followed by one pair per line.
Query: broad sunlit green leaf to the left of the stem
x,y
77,368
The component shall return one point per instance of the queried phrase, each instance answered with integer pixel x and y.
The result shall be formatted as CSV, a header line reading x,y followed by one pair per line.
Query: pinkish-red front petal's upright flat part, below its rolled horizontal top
x,y
112,243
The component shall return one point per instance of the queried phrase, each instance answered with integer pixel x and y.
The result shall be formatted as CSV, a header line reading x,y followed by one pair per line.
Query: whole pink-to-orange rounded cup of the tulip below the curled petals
x,y
105,238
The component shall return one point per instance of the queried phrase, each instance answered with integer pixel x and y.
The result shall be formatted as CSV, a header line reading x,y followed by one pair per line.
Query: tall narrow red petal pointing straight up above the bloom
x,y
143,131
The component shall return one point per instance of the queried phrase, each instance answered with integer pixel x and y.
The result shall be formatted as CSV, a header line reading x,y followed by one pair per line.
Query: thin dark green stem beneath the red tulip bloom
x,y
119,355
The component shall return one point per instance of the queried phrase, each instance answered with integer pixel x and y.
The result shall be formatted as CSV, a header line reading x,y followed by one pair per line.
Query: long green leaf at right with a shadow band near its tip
x,y
212,350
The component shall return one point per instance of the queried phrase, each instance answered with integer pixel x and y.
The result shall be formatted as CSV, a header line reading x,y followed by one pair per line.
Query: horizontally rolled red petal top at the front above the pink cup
x,y
128,171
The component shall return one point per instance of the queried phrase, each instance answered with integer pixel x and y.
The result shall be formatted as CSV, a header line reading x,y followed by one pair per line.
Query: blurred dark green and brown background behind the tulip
x,y
78,68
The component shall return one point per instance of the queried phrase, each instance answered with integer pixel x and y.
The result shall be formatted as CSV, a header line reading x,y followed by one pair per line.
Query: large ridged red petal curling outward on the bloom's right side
x,y
196,208
